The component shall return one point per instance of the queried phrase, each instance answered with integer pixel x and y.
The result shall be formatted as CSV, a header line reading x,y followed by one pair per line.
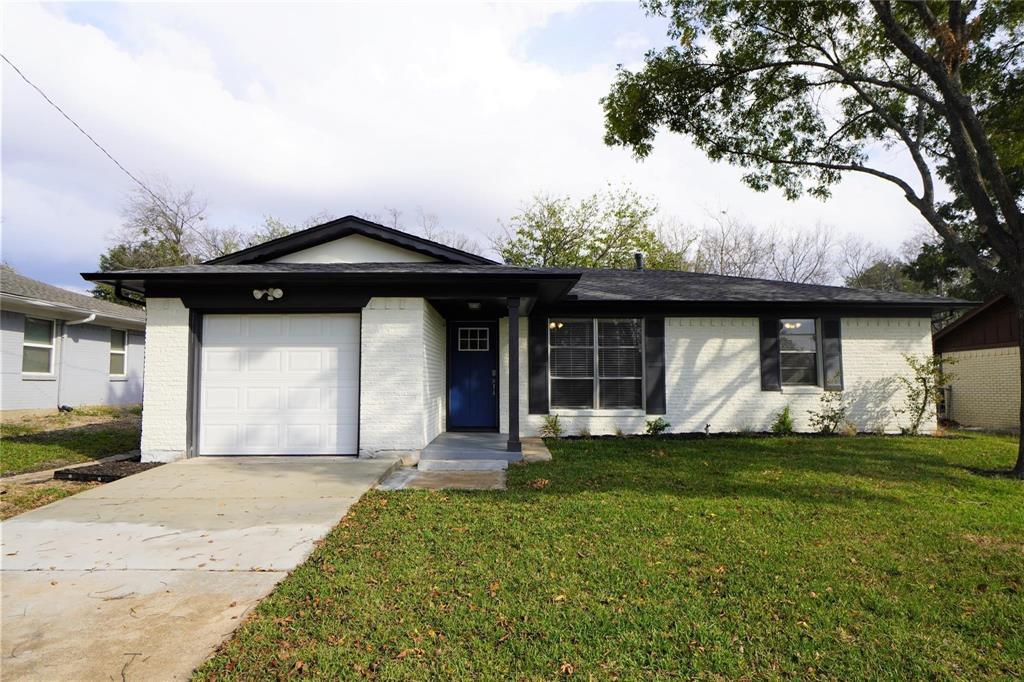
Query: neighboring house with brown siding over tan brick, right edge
x,y
987,387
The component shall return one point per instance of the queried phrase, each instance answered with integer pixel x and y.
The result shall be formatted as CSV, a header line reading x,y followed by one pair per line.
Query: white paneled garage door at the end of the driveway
x,y
280,385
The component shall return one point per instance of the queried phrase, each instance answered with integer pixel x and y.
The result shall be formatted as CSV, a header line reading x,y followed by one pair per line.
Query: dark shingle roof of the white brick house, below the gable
x,y
593,286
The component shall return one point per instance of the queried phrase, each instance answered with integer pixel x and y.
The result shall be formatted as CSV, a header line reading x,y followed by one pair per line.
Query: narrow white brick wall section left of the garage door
x,y
165,396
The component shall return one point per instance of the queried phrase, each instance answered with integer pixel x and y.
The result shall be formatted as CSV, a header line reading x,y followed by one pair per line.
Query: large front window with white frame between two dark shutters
x,y
613,348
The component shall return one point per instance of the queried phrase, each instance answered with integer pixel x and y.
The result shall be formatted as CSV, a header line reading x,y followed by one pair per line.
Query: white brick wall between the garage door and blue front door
x,y
402,401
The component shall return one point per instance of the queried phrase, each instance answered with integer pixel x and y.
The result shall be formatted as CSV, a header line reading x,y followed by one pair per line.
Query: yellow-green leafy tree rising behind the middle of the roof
x,y
606,230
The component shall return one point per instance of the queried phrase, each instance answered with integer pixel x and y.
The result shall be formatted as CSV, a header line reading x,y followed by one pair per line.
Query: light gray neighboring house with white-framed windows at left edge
x,y
60,348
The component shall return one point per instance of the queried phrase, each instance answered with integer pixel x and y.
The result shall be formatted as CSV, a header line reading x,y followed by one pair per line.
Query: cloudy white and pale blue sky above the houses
x,y
463,111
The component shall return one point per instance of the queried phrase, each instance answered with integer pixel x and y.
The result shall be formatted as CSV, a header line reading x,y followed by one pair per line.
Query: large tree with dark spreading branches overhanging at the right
x,y
801,95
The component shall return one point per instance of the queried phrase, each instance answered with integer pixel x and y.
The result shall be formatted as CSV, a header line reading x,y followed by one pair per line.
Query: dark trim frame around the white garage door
x,y
193,413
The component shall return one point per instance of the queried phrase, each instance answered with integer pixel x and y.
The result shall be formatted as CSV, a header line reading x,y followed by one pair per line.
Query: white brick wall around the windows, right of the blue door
x,y
713,377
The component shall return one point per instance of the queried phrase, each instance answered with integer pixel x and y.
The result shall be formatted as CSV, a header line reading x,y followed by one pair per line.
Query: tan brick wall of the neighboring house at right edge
x,y
987,388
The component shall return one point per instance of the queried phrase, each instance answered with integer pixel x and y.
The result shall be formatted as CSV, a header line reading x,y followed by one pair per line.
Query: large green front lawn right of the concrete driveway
x,y
841,559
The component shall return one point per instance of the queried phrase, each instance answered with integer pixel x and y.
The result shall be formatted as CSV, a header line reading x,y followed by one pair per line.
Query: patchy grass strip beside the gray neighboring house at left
x,y
36,444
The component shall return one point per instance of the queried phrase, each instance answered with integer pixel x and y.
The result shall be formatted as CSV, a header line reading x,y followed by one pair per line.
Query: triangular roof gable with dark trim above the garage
x,y
285,249
